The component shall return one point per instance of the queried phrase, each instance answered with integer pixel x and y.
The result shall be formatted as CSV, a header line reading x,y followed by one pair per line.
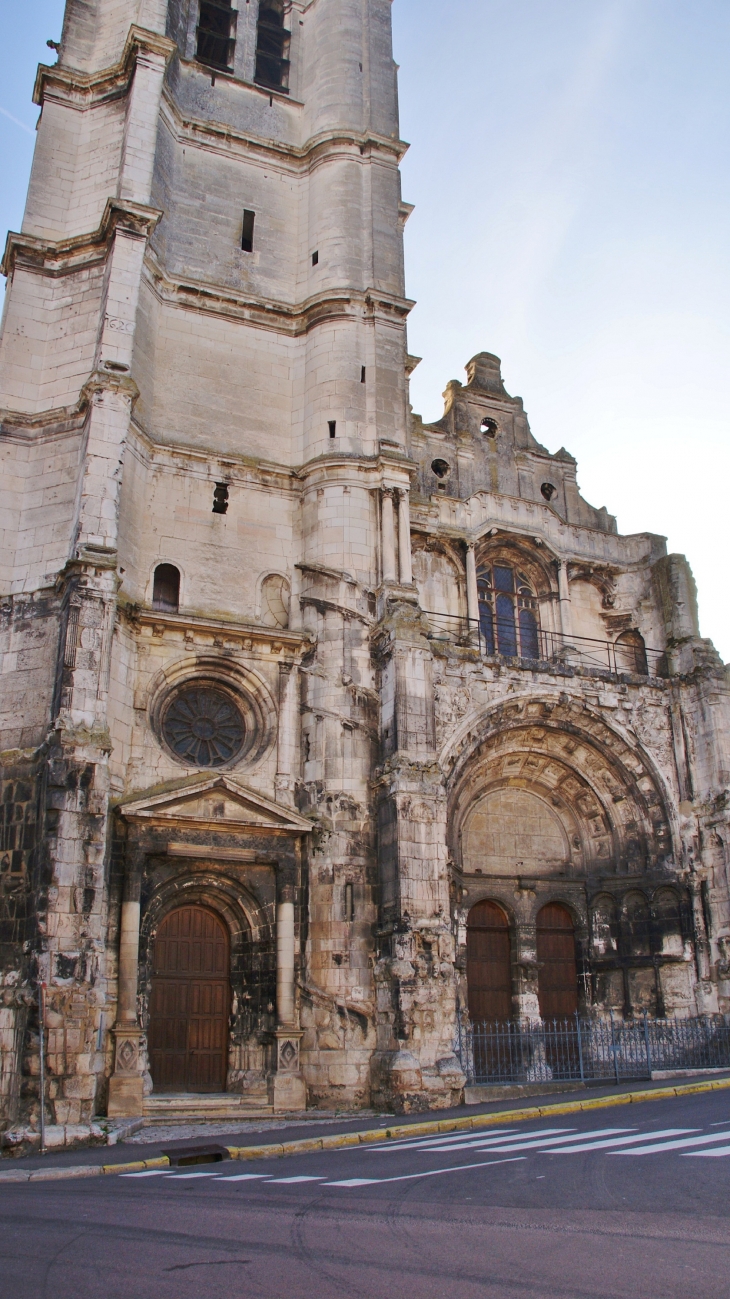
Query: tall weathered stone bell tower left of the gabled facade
x,y
208,605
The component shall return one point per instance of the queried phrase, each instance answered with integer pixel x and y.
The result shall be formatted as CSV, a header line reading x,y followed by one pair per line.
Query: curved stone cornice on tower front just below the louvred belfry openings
x,y
227,140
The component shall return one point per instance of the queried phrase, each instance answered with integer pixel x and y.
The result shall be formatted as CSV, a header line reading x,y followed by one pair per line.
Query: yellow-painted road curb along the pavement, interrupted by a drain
x,y
376,1135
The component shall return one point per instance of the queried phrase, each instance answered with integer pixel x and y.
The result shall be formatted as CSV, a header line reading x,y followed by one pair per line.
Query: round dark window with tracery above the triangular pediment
x,y
203,727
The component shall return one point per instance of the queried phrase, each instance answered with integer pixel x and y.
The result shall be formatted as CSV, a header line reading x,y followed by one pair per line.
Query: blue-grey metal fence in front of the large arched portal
x,y
592,1050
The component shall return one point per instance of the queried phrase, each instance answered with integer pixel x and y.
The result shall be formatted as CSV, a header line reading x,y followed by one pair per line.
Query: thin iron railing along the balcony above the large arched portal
x,y
549,646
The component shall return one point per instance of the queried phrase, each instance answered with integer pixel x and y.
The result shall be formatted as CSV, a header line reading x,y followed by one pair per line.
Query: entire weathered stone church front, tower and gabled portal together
x,y
321,727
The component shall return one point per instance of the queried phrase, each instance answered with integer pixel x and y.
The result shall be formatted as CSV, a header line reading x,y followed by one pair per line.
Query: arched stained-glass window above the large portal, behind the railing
x,y
509,612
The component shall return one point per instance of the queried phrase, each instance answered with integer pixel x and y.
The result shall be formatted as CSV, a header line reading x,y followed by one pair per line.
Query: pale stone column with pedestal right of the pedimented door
x,y
289,1091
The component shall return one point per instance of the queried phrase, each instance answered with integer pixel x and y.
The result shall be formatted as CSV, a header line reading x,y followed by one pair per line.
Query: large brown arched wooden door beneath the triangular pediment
x,y
189,1009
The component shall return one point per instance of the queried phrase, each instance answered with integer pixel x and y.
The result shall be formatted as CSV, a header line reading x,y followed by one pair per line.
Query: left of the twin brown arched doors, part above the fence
x,y
489,965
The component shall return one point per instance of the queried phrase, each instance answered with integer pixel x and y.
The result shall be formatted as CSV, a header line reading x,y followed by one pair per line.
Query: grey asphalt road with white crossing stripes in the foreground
x,y
625,1204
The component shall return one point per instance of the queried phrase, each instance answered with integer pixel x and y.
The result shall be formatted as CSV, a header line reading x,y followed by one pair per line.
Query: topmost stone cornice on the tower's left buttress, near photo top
x,y
85,90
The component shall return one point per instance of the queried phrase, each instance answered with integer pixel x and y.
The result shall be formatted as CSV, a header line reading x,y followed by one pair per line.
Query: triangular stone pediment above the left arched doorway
x,y
218,802
